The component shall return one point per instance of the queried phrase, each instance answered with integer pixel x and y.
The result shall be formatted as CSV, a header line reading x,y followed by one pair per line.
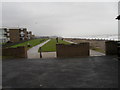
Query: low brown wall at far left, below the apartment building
x,y
19,52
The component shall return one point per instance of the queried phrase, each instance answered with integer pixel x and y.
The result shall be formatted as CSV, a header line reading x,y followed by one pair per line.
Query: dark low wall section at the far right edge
x,y
111,47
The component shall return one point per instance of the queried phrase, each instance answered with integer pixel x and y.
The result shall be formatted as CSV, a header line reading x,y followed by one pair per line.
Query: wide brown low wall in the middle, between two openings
x,y
72,50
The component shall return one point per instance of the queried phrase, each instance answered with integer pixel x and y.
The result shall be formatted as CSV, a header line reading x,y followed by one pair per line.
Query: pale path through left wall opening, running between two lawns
x,y
33,52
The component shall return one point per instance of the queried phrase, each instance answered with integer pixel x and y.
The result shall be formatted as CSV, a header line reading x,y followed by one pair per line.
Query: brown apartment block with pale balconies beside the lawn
x,y
15,34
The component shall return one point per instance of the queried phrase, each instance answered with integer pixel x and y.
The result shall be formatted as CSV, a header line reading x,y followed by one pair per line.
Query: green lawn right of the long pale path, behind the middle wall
x,y
51,45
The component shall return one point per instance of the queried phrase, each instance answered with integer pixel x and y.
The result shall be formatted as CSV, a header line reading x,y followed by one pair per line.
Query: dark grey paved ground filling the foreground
x,y
91,72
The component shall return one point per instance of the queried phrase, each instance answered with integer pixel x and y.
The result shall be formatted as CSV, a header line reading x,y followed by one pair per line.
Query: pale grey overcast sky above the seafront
x,y
68,19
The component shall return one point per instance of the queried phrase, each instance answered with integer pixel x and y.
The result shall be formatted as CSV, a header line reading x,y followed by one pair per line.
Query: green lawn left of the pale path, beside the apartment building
x,y
33,42
